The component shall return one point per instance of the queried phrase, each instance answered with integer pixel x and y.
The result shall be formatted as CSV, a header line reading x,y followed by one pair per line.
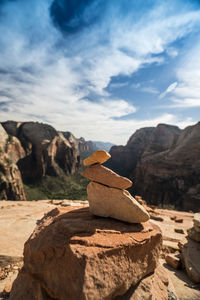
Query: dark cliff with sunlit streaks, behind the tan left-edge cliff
x,y
47,151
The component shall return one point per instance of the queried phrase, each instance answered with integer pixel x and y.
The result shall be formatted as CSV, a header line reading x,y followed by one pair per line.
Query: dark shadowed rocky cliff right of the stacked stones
x,y
164,164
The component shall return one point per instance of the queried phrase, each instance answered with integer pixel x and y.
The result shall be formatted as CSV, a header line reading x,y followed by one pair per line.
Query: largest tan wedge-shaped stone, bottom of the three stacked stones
x,y
111,202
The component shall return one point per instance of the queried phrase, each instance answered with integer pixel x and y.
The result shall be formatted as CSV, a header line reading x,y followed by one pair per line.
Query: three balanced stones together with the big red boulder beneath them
x,y
74,255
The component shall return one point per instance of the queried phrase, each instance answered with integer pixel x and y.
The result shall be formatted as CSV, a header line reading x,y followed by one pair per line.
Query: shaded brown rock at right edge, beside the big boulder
x,y
191,254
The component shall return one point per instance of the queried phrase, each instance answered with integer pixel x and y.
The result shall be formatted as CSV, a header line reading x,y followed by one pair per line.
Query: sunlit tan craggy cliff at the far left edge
x,y
11,186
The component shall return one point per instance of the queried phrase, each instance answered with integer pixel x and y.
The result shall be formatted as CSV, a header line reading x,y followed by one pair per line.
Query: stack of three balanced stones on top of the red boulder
x,y
107,194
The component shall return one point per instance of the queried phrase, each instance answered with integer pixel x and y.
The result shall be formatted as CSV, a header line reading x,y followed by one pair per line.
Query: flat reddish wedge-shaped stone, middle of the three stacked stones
x,y
106,176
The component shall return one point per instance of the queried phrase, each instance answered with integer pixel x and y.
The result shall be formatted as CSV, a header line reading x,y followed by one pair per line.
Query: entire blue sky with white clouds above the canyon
x,y
100,68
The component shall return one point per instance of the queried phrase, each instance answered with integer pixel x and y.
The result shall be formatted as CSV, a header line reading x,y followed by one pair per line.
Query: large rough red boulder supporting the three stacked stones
x,y
75,255
